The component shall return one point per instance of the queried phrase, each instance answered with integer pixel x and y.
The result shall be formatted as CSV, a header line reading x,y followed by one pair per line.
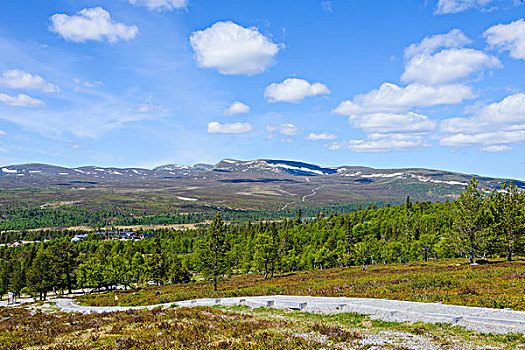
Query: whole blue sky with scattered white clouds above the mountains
x,y
389,84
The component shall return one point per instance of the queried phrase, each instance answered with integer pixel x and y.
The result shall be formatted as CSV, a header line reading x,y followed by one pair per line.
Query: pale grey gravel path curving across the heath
x,y
475,318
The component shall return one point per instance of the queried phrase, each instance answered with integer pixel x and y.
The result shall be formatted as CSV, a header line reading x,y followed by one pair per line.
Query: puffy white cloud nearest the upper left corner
x,y
91,24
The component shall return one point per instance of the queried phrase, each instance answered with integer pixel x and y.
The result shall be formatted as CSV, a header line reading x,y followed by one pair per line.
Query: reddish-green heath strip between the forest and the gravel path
x,y
498,284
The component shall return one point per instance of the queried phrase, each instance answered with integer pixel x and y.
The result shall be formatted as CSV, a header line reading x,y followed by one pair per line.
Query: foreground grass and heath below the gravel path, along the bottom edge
x,y
231,328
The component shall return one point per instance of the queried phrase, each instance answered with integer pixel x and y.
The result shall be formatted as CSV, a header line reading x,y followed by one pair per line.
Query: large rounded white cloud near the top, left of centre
x,y
233,49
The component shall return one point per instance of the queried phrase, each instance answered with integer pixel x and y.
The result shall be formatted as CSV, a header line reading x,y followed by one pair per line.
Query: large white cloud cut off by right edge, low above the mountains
x,y
492,127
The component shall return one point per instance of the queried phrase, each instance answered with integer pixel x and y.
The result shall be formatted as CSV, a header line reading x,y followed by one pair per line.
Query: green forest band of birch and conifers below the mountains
x,y
477,226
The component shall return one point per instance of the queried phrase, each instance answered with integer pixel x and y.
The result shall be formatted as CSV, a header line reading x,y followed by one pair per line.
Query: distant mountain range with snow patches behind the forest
x,y
245,185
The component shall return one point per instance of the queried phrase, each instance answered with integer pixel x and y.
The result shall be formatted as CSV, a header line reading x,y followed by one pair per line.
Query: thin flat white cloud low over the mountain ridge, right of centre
x,y
382,143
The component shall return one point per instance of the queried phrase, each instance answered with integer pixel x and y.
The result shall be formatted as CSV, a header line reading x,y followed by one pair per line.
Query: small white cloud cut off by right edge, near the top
x,y
510,37
